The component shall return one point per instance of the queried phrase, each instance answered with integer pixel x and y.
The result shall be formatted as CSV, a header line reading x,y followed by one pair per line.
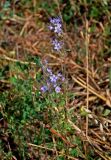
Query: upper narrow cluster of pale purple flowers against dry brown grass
x,y
56,27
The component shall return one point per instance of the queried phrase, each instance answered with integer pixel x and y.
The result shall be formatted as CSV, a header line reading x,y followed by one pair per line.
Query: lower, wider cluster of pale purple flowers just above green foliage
x,y
53,81
